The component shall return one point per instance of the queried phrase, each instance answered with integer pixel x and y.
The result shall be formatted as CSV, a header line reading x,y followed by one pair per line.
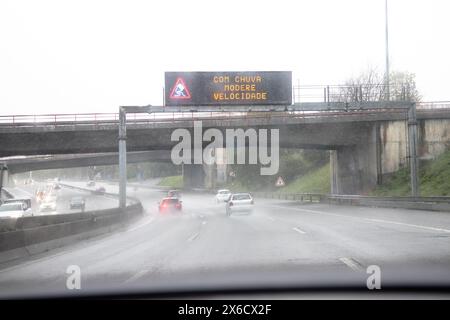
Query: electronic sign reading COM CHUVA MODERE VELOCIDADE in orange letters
x,y
228,88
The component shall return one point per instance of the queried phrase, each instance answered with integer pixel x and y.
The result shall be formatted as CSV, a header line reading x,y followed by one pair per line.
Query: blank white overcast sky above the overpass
x,y
92,56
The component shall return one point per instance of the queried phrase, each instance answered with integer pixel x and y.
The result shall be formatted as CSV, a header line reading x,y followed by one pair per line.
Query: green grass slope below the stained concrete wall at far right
x,y
434,179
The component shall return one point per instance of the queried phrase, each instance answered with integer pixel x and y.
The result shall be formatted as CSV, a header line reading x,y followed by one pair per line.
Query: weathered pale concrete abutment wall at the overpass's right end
x,y
357,169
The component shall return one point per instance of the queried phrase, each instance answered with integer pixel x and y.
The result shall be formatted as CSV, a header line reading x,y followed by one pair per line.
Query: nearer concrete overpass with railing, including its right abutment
x,y
367,139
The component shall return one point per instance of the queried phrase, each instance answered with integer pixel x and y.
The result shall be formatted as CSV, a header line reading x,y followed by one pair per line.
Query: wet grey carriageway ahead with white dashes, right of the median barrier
x,y
202,239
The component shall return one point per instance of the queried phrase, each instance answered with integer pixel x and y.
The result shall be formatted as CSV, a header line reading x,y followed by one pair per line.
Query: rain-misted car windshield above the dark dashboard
x,y
206,140
